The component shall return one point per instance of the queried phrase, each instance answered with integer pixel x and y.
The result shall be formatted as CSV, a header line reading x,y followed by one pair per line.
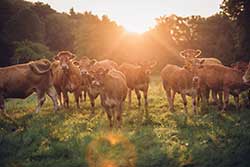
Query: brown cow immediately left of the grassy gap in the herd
x,y
137,77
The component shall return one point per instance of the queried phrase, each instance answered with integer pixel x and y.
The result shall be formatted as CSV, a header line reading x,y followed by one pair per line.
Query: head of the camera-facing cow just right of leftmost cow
x,y
64,57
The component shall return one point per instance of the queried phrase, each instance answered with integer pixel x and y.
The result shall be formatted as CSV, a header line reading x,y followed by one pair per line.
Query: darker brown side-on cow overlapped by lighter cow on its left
x,y
222,79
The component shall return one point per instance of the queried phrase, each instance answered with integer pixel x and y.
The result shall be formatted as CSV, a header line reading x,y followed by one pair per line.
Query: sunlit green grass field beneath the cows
x,y
71,138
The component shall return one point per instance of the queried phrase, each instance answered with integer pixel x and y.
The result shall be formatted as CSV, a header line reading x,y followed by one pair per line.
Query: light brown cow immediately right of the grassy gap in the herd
x,y
180,80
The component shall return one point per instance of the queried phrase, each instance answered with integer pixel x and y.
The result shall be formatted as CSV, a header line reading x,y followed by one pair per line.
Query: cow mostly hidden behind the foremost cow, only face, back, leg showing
x,y
88,68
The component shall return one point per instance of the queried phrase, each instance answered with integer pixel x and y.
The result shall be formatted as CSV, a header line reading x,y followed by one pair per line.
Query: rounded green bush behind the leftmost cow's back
x,y
26,51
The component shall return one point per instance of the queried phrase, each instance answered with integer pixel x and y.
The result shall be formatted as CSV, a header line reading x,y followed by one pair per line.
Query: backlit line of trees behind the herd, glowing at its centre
x,y
31,31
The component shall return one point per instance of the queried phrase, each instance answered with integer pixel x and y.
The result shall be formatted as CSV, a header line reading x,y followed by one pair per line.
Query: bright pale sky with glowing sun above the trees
x,y
137,15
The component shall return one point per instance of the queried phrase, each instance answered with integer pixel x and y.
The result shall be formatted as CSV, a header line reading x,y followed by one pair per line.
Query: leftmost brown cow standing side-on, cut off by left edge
x,y
20,81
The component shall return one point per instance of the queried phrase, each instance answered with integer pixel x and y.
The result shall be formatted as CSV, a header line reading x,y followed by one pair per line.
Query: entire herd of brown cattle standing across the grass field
x,y
112,82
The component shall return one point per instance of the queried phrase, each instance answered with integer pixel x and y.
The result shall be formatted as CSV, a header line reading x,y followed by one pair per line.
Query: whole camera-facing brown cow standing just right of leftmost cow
x,y
66,77
